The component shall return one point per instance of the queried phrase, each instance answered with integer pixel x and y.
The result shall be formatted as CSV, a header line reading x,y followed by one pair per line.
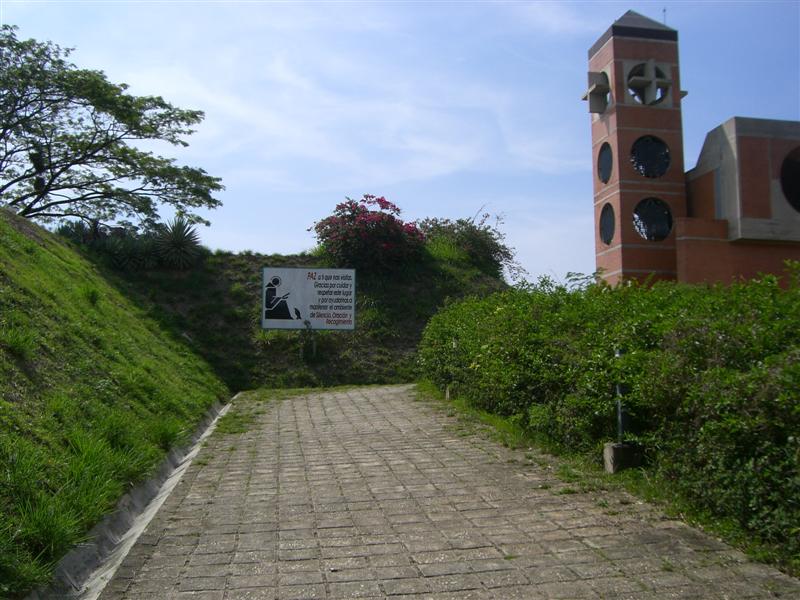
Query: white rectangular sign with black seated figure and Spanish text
x,y
303,298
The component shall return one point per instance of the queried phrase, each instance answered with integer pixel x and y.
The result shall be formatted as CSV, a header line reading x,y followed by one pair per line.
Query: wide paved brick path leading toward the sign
x,y
369,494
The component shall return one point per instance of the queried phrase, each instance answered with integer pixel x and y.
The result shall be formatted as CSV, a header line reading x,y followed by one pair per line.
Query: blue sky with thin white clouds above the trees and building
x,y
445,108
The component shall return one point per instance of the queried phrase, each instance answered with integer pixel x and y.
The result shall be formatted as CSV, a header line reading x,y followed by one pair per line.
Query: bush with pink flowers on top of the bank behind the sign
x,y
369,233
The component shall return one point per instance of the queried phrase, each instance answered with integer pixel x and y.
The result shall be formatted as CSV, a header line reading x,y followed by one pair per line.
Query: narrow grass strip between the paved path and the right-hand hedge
x,y
585,473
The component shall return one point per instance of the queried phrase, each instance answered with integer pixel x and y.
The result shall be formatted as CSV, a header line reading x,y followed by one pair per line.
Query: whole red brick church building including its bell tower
x,y
736,214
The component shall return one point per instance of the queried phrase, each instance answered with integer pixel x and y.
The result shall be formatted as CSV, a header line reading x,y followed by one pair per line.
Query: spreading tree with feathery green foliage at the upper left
x,y
68,143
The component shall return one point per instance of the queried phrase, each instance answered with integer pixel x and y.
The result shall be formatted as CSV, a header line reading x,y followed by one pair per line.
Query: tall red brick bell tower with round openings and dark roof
x,y
637,145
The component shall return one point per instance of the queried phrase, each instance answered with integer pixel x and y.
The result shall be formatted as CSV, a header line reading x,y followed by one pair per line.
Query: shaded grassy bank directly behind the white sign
x,y
216,306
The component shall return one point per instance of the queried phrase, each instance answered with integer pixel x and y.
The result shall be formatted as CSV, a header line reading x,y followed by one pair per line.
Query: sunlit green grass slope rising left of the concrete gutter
x,y
92,394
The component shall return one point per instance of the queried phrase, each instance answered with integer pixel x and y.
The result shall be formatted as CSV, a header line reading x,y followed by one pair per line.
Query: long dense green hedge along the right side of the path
x,y
712,377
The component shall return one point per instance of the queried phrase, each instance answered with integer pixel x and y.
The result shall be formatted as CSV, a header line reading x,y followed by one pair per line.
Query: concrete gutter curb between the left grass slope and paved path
x,y
85,570
